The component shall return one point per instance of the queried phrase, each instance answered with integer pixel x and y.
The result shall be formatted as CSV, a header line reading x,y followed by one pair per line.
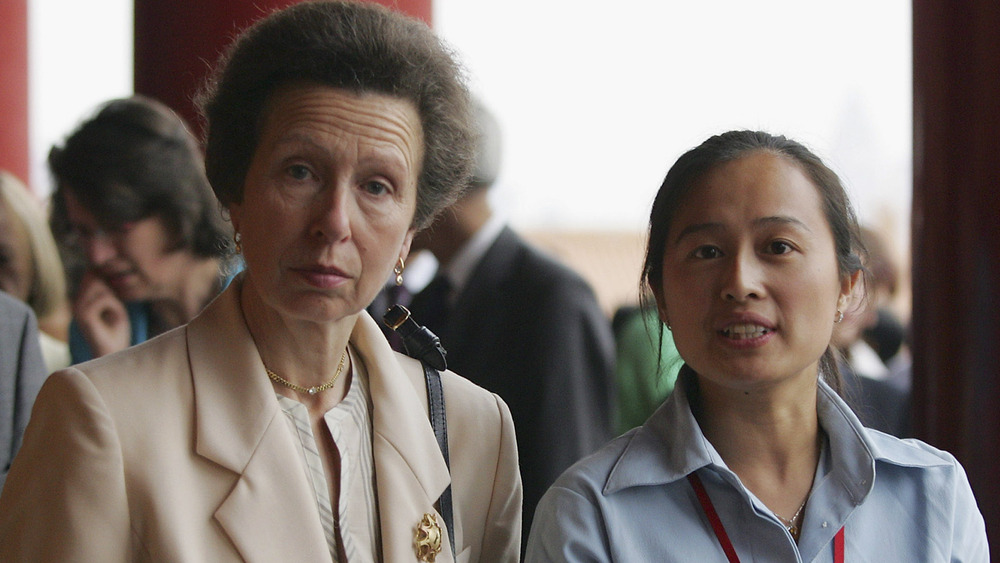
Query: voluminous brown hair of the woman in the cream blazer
x,y
360,47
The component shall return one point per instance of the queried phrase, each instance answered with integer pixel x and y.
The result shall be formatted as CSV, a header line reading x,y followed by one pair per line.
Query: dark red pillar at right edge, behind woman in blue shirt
x,y
956,238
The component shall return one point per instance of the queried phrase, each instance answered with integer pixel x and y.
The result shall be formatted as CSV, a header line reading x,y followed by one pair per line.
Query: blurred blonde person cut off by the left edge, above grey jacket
x,y
31,270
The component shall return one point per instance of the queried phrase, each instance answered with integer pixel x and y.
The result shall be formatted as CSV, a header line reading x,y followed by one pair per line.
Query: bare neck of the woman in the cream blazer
x,y
304,353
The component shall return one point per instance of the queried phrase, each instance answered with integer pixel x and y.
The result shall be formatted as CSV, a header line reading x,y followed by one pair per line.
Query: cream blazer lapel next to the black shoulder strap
x,y
410,471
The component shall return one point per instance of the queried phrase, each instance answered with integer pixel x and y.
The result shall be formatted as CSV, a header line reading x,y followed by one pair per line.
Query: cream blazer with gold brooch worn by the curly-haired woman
x,y
177,450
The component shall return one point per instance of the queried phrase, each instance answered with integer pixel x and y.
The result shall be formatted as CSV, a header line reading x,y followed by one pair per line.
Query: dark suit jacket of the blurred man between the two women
x,y
530,329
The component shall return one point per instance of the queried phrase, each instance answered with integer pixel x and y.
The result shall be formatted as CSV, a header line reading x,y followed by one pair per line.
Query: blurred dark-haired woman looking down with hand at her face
x,y
138,224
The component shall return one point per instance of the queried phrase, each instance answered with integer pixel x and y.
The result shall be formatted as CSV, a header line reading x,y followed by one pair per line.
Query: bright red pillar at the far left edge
x,y
14,88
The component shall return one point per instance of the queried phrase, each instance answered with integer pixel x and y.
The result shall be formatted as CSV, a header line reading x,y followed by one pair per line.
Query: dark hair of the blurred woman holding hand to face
x,y
134,159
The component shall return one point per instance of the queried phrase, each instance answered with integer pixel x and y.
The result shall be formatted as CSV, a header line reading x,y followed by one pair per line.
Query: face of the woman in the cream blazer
x,y
328,199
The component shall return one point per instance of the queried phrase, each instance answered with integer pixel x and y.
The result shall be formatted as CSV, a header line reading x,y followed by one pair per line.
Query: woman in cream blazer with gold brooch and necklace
x,y
279,425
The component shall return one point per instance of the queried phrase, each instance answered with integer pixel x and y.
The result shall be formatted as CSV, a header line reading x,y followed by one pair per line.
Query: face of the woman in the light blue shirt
x,y
750,278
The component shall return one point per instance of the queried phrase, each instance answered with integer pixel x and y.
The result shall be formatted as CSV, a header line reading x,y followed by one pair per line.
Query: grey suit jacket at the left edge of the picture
x,y
22,372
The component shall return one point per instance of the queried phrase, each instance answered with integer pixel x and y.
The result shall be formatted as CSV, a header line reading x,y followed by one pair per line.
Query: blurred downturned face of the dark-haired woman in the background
x,y
135,261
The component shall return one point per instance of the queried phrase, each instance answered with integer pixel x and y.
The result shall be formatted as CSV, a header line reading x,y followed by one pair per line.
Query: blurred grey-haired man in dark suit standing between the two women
x,y
522,325
